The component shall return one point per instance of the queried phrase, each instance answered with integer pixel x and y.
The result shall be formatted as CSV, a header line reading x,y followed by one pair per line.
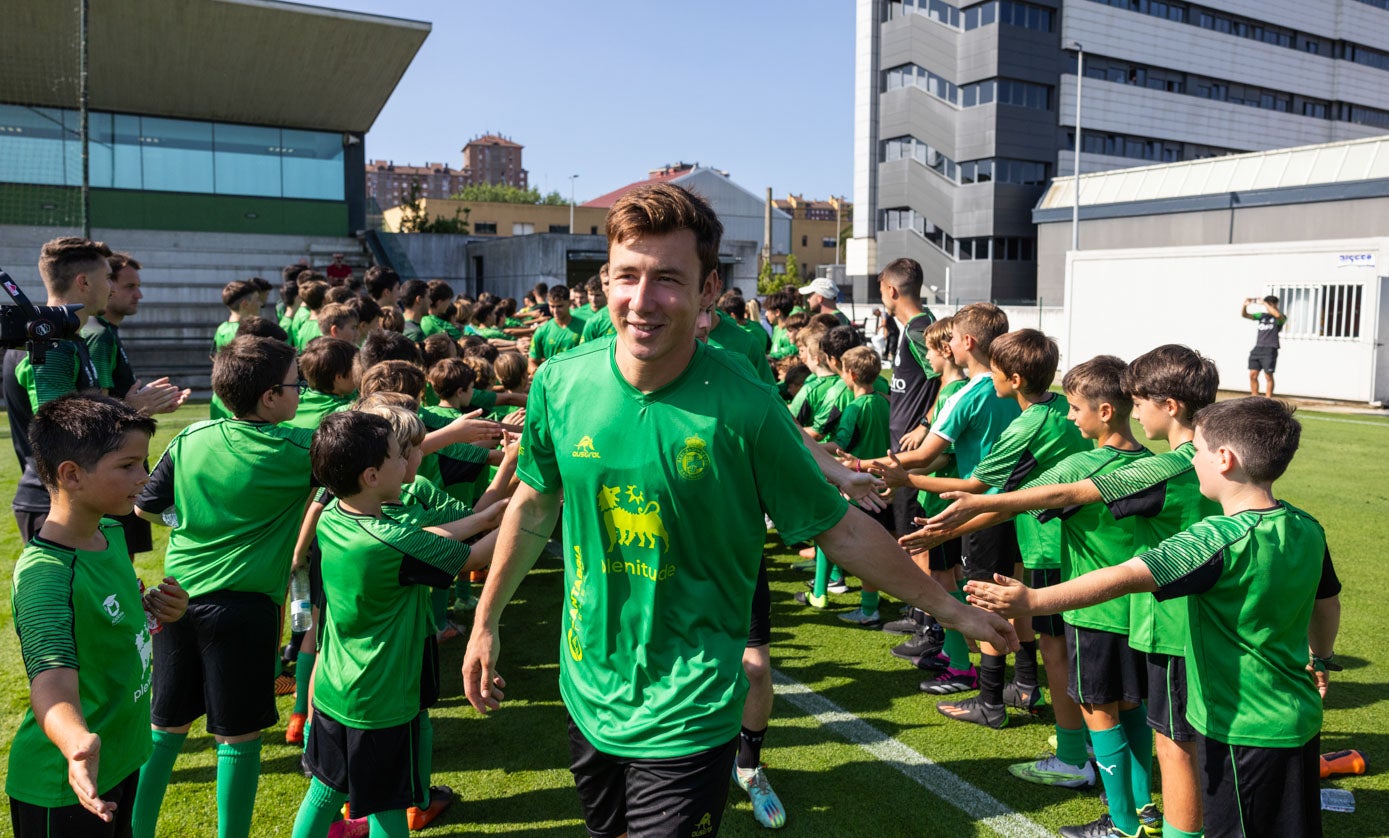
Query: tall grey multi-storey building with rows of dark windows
x,y
965,113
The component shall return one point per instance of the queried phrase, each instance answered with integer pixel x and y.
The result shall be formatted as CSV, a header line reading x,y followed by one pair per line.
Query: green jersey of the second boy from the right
x,y
1163,497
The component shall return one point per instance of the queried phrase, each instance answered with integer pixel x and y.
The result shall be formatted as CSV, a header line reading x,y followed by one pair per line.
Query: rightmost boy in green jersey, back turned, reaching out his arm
x,y
1263,608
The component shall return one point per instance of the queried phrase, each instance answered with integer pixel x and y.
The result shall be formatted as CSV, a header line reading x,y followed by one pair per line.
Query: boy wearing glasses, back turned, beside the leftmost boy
x,y
234,557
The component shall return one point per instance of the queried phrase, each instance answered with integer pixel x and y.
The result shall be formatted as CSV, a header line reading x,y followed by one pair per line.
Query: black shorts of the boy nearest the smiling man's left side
x,y
380,771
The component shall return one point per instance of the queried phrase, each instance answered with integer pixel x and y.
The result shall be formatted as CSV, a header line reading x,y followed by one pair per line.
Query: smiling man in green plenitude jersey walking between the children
x,y
669,455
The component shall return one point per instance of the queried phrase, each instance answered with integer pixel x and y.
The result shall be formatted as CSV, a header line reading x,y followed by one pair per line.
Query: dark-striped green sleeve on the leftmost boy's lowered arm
x,y
44,615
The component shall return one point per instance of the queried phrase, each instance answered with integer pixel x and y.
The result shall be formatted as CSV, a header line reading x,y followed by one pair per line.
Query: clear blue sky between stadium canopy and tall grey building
x,y
613,88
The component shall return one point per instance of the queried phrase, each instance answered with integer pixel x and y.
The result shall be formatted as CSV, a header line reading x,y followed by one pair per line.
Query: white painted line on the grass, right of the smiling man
x,y
926,772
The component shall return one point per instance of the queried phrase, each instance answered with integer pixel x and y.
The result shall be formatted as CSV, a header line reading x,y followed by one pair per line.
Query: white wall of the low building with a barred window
x,y
1127,302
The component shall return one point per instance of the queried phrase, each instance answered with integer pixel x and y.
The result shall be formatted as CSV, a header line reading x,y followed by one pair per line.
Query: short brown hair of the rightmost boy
x,y
1263,434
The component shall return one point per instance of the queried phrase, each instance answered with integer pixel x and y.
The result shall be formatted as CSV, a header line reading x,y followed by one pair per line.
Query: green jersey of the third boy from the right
x,y
1091,536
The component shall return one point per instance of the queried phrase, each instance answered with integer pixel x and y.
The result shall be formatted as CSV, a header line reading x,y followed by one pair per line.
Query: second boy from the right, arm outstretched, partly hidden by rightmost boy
x,y
1169,386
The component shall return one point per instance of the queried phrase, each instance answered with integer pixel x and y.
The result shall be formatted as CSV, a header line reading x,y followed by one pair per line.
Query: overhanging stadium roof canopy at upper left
x,y
251,62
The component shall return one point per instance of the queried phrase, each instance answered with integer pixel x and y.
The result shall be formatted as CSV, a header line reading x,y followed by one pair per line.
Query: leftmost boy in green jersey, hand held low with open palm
x,y
83,627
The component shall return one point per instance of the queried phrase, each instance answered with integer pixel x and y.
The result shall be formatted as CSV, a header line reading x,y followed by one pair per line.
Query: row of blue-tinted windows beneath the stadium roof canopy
x,y
41,145
